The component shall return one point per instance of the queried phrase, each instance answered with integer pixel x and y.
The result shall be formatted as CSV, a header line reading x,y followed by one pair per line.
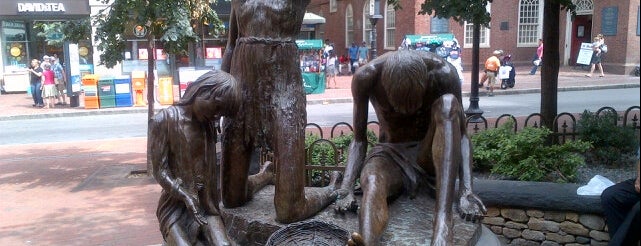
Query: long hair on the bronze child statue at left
x,y
216,85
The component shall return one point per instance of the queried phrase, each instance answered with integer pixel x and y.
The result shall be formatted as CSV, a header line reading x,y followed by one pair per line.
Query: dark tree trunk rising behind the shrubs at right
x,y
550,67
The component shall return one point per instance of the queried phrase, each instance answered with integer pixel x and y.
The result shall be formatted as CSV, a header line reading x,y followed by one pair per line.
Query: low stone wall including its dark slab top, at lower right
x,y
541,213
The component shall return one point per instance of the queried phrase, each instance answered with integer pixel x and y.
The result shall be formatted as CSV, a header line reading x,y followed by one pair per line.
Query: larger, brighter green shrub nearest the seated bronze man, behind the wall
x,y
525,156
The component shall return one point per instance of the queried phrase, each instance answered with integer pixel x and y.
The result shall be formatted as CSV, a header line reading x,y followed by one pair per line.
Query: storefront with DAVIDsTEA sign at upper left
x,y
21,43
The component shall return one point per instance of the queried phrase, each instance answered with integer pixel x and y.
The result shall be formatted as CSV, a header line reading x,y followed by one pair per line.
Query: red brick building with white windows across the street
x,y
516,27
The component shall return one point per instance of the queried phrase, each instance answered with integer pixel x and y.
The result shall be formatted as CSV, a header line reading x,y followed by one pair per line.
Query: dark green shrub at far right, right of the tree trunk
x,y
612,144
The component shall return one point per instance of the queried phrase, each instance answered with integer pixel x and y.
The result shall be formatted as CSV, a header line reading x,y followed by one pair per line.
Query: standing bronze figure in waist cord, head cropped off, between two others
x,y
262,55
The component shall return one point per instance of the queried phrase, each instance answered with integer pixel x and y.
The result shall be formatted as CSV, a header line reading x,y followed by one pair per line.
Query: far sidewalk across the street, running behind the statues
x,y
18,105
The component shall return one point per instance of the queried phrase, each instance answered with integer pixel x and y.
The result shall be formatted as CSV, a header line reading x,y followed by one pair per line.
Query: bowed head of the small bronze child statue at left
x,y
215,93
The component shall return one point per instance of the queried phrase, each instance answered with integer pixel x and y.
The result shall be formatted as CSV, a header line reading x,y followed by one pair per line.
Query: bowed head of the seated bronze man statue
x,y
404,78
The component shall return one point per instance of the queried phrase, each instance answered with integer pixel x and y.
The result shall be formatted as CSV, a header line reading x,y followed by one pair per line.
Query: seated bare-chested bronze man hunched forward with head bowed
x,y
417,99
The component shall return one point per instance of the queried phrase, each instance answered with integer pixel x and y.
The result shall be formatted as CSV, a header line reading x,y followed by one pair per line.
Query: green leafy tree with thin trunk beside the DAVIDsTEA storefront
x,y
170,22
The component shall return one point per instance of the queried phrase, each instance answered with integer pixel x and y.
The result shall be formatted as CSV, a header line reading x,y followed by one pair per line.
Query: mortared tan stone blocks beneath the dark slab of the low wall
x,y
524,227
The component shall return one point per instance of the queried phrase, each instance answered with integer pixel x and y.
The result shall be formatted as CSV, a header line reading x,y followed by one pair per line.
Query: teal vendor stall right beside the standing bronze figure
x,y
310,52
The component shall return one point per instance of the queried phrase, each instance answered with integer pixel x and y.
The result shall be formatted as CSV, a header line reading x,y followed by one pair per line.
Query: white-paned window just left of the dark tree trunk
x,y
530,23
